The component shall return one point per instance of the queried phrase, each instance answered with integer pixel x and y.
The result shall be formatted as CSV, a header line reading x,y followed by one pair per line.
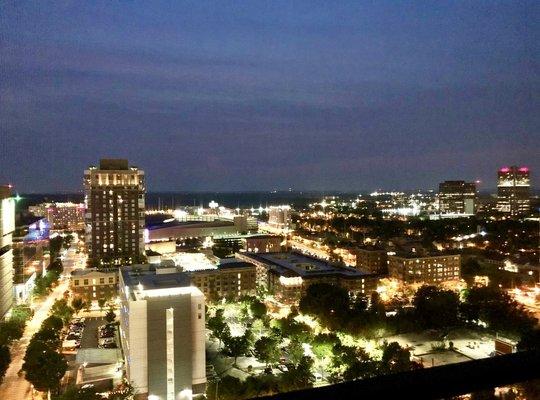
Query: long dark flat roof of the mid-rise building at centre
x,y
295,263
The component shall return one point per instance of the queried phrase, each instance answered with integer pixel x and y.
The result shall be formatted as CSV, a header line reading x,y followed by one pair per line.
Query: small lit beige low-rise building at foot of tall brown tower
x,y
93,284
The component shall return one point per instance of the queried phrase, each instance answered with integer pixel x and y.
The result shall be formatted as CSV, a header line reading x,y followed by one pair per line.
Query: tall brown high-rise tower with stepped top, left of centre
x,y
115,204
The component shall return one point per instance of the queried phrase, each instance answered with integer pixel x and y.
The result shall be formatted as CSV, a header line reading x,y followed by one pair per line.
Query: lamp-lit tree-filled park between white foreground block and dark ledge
x,y
256,346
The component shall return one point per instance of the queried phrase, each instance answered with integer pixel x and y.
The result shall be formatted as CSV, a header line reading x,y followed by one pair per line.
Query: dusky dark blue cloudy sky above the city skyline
x,y
249,95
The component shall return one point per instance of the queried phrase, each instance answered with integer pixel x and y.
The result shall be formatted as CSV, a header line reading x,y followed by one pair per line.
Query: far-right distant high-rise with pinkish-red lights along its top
x,y
513,190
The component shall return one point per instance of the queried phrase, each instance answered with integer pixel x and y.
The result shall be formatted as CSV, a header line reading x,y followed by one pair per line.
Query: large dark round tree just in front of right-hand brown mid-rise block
x,y
436,308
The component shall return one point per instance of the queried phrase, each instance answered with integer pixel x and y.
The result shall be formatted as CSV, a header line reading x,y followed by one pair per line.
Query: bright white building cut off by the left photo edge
x,y
7,226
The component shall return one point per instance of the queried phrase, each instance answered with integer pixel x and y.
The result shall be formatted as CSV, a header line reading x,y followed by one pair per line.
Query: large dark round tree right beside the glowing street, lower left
x,y
43,367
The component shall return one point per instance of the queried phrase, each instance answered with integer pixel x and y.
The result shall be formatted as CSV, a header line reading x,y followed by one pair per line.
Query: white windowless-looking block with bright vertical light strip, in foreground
x,y
162,330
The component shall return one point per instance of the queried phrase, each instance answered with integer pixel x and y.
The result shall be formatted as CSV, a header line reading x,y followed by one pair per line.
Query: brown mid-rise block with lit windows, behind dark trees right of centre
x,y
413,268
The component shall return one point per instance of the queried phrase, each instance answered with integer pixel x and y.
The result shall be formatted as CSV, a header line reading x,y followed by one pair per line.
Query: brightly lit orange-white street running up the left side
x,y
15,386
